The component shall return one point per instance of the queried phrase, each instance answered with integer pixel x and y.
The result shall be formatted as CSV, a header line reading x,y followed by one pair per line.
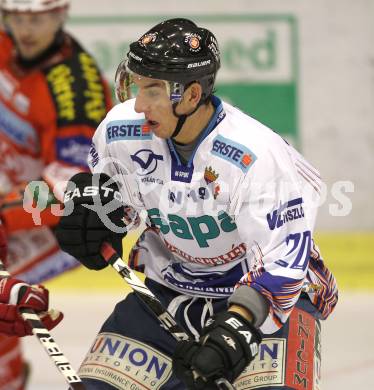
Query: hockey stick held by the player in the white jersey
x,y
153,303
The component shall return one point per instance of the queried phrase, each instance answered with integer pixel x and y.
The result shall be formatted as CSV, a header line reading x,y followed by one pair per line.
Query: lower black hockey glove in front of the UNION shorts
x,y
228,343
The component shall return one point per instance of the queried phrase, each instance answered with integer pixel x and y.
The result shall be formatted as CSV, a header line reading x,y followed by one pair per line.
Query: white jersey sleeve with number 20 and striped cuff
x,y
276,222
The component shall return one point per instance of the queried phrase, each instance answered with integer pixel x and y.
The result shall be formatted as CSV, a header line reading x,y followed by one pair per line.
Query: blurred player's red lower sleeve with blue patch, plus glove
x,y
42,196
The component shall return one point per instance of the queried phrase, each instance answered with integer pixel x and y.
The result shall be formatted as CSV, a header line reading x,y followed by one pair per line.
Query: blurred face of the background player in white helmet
x,y
33,32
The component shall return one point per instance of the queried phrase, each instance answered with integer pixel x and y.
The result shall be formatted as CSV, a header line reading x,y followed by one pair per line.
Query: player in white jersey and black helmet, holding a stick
x,y
228,247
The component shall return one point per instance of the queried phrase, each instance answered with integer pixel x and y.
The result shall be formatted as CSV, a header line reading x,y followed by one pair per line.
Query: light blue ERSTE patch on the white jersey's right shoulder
x,y
233,152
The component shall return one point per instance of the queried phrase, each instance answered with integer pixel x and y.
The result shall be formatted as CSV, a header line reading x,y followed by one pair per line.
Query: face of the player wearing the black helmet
x,y
153,100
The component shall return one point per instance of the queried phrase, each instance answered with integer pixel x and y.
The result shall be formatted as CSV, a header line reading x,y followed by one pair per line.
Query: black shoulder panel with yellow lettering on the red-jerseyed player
x,y
76,86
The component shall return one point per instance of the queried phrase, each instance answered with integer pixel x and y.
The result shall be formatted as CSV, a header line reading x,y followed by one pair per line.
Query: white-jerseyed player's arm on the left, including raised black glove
x,y
111,193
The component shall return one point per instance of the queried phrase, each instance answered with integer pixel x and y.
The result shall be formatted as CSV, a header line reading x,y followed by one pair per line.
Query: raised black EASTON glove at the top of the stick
x,y
93,213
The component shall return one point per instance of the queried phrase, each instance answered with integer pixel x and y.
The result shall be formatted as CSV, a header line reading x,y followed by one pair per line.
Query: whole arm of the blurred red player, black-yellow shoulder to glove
x,y
65,142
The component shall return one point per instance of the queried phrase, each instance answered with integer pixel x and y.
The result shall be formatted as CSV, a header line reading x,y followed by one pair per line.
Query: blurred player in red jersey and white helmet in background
x,y
52,98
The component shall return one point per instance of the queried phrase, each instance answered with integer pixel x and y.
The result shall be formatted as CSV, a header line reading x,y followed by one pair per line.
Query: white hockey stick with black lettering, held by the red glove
x,y
50,346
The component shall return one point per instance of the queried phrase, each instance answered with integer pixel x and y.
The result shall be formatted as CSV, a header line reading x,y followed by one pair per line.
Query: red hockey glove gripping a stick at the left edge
x,y
15,295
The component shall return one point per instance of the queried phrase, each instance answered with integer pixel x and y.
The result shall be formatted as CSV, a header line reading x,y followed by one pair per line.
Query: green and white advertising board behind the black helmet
x,y
259,72
